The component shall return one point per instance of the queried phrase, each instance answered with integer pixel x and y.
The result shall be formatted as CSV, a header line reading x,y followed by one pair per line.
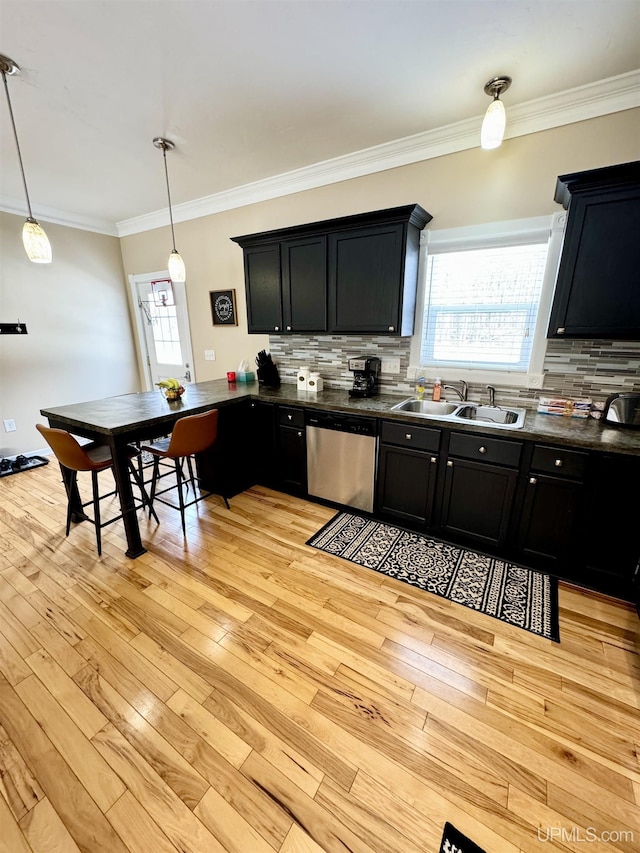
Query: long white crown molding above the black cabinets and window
x,y
573,105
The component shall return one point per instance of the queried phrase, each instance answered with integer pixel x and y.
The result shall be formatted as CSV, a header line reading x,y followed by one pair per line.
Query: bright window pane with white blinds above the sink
x,y
481,306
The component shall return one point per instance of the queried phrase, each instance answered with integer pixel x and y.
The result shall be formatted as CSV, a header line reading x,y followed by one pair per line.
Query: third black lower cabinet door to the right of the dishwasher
x,y
547,529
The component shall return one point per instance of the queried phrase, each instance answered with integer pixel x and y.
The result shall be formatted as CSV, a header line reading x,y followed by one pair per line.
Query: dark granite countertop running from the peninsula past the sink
x,y
115,414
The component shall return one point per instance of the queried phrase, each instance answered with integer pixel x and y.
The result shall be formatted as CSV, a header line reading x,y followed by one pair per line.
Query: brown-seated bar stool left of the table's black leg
x,y
95,458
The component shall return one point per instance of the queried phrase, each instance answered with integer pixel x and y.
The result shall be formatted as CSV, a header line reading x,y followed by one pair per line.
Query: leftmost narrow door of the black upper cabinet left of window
x,y
263,287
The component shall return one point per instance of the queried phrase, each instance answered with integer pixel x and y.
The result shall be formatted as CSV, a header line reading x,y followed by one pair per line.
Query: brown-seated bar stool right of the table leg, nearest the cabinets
x,y
191,434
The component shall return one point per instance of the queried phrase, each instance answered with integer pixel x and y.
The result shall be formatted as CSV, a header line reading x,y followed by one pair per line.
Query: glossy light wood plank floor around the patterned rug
x,y
246,693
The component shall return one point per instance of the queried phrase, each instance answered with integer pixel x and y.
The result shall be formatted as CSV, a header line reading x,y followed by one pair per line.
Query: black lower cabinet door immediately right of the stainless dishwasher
x,y
406,484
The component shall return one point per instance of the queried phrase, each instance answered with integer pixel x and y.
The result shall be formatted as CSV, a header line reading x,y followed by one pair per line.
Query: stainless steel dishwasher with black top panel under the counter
x,y
341,458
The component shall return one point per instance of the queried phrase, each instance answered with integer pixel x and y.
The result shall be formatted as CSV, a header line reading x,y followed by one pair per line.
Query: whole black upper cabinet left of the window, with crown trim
x,y
353,275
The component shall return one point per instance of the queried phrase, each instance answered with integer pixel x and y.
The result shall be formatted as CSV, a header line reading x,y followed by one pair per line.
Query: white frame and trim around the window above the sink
x,y
515,232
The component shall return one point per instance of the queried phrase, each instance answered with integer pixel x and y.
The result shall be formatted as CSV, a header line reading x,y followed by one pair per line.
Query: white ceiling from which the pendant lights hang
x,y
250,89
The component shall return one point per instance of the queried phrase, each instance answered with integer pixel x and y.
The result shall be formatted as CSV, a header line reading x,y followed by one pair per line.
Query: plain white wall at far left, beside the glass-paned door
x,y
79,344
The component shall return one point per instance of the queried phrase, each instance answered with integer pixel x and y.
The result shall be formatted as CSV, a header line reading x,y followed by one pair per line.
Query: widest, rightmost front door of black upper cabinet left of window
x,y
366,269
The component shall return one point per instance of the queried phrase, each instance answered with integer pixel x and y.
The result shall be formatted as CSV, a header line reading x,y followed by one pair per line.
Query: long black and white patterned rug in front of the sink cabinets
x,y
503,590
